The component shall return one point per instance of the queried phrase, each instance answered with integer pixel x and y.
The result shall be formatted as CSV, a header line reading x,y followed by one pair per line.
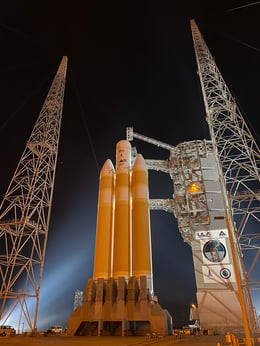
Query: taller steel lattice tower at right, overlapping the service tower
x,y
238,155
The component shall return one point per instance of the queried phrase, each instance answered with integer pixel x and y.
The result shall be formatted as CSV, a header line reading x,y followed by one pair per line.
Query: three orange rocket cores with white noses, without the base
x,y
123,237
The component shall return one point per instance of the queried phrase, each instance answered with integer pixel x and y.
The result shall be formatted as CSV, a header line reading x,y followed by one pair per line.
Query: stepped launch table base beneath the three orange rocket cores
x,y
116,307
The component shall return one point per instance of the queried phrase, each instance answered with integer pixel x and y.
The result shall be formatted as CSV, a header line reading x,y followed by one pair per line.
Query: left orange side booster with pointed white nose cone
x,y
104,230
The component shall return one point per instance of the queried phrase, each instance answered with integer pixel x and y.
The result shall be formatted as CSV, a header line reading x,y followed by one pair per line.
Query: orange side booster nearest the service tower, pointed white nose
x,y
141,234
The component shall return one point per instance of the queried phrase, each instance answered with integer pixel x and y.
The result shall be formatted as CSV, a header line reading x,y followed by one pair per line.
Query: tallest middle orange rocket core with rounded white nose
x,y
122,225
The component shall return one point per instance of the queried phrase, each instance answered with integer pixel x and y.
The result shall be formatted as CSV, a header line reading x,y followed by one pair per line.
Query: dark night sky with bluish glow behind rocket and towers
x,y
130,63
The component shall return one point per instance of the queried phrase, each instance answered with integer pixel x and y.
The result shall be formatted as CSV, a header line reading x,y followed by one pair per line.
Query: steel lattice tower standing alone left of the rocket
x,y
25,211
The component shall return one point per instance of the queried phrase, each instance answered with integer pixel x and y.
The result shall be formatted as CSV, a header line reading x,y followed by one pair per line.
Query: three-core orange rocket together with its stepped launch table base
x,y
119,299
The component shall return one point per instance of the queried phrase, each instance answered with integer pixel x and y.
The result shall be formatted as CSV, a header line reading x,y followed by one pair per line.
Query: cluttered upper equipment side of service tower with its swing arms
x,y
189,204
